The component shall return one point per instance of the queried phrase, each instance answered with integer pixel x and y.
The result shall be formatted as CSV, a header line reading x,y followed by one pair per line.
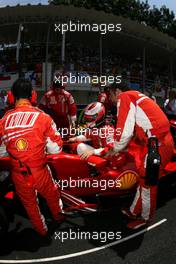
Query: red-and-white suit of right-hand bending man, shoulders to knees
x,y
138,118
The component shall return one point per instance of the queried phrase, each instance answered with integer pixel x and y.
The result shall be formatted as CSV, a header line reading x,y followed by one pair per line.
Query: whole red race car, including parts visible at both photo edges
x,y
81,179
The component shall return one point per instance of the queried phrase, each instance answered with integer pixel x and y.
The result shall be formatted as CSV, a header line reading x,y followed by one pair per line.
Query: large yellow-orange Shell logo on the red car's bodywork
x,y
128,179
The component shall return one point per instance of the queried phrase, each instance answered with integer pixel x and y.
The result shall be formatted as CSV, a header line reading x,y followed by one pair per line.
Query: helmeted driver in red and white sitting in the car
x,y
100,134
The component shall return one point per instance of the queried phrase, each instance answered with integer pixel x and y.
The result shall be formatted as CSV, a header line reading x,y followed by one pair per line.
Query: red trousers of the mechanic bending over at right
x,y
144,203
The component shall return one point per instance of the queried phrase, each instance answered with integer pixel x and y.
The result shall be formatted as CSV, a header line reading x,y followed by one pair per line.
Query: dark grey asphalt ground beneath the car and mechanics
x,y
155,246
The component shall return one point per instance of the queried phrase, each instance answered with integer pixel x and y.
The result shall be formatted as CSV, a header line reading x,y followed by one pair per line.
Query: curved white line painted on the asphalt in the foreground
x,y
85,252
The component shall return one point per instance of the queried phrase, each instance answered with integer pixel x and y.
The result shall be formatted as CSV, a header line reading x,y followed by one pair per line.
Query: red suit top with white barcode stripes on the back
x,y
25,131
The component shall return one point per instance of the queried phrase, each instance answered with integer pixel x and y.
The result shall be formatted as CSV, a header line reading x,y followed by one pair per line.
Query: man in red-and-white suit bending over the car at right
x,y
138,118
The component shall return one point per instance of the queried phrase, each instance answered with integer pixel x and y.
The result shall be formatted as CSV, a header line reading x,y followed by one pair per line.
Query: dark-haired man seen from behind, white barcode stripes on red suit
x,y
28,133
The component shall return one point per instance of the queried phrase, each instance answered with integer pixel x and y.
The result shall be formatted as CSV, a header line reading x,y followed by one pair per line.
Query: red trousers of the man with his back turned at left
x,y
40,180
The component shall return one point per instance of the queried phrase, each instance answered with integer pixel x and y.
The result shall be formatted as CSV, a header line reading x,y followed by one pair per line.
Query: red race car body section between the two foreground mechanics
x,y
92,177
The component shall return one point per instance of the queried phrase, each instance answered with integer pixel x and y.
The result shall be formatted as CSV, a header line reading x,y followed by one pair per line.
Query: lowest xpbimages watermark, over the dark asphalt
x,y
102,236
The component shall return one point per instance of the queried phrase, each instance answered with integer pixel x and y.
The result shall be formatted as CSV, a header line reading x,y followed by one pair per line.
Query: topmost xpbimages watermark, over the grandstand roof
x,y
86,27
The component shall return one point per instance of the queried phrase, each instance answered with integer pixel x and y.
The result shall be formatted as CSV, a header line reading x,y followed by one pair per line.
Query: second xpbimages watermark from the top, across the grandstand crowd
x,y
102,80
